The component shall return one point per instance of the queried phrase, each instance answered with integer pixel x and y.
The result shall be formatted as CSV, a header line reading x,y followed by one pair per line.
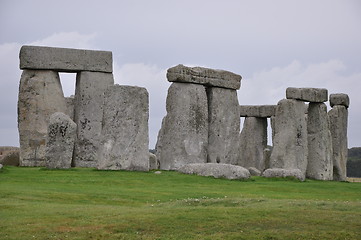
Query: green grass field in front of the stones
x,y
87,204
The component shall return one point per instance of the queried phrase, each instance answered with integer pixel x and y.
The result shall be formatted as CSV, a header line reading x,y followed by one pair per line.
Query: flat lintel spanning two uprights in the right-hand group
x,y
308,94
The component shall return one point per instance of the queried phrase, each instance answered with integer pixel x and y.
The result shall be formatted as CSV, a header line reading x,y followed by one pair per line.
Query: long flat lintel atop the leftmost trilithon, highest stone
x,y
65,59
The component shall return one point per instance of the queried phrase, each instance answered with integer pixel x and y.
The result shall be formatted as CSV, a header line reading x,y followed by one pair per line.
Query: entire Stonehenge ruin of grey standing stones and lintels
x,y
105,125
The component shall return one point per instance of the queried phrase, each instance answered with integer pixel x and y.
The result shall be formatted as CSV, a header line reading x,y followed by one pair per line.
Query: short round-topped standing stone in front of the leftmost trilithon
x,y
60,141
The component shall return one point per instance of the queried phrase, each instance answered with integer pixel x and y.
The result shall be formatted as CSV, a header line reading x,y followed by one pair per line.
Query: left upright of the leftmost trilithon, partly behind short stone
x,y
40,95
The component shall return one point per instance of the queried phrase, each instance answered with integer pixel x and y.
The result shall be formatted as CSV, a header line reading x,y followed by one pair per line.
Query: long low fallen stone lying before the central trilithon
x,y
216,170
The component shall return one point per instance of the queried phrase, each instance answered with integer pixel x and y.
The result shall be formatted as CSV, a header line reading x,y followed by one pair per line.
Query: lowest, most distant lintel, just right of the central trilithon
x,y
264,111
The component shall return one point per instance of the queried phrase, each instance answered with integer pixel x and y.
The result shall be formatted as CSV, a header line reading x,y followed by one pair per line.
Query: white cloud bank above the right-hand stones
x,y
269,86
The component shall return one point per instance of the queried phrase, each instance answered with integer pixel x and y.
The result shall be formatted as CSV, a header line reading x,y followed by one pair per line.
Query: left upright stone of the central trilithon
x,y
183,138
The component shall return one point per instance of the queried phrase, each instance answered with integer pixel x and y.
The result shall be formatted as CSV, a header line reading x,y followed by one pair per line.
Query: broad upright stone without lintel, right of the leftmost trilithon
x,y
125,140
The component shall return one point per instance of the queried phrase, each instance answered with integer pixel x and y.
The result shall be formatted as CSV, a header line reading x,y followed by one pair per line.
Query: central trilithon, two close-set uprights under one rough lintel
x,y
202,121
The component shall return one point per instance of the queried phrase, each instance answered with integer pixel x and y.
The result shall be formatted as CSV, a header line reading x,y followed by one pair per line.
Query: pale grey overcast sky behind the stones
x,y
271,44
